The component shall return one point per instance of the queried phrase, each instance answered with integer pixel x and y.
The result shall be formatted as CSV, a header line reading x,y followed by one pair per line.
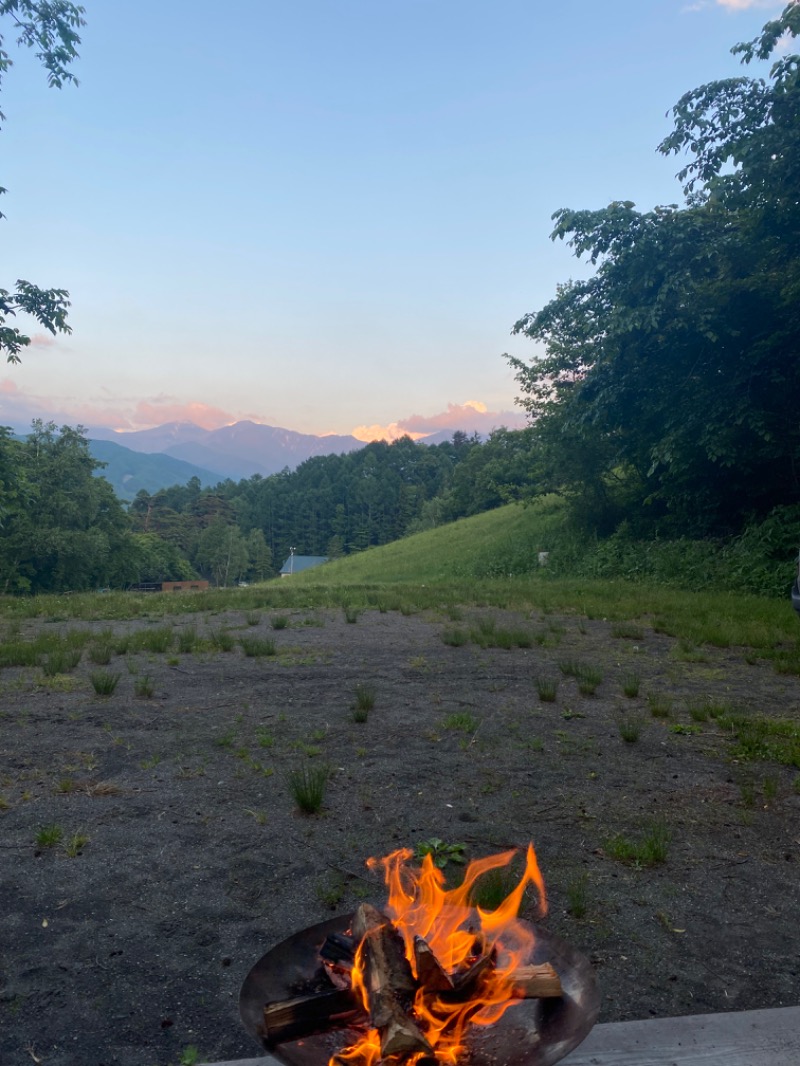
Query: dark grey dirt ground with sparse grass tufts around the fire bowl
x,y
131,946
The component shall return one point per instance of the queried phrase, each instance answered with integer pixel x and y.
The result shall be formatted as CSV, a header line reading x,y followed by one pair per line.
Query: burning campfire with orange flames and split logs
x,y
415,981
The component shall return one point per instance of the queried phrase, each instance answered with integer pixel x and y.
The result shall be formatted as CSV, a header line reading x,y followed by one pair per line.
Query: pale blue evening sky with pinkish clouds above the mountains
x,y
328,215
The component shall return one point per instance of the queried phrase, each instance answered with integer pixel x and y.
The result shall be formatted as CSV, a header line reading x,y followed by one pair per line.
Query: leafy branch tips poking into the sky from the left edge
x,y
52,28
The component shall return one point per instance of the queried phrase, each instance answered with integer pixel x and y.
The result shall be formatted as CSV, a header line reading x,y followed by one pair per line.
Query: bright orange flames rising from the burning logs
x,y
458,934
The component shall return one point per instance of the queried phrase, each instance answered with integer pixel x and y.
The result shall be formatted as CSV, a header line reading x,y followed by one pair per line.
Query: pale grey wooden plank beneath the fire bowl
x,y
739,1039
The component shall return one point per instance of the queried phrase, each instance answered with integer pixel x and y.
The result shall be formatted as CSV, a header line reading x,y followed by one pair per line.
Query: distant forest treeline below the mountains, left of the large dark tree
x,y
63,528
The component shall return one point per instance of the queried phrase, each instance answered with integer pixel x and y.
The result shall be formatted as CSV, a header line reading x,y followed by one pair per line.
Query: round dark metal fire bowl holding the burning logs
x,y
531,1033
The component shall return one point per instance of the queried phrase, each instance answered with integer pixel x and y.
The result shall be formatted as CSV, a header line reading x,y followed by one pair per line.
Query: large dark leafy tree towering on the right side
x,y
670,381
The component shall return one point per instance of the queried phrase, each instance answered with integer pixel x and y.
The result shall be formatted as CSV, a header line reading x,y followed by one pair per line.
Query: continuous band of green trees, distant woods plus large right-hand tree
x,y
664,397
